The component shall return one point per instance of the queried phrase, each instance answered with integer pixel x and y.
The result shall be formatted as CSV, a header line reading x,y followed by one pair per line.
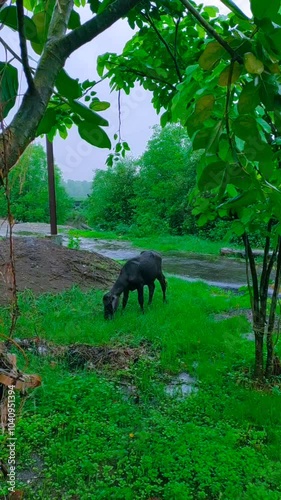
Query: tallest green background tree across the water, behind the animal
x,y
166,175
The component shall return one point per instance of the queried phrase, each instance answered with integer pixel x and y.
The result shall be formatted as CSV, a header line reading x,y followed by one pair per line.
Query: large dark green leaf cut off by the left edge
x,y
8,87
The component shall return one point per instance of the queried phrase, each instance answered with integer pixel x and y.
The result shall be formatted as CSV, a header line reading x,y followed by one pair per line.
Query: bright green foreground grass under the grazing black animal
x,y
95,441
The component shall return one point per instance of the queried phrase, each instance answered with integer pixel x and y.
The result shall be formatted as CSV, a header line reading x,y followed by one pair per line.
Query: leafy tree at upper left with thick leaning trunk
x,y
51,101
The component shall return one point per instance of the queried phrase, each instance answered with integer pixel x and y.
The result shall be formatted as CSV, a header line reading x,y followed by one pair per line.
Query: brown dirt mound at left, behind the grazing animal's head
x,y
44,266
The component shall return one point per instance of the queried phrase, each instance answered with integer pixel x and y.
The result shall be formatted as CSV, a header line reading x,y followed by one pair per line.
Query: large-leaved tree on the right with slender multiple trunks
x,y
220,77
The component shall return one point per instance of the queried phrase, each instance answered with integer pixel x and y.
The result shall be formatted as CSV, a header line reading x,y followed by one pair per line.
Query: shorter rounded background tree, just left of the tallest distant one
x,y
111,202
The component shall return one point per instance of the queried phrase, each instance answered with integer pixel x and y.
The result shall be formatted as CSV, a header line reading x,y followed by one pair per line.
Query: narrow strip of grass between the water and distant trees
x,y
166,243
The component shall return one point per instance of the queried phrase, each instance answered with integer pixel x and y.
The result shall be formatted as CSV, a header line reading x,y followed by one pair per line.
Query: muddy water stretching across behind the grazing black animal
x,y
219,271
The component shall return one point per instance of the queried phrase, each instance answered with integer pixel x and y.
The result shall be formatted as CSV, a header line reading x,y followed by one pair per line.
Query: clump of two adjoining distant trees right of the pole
x,y
152,195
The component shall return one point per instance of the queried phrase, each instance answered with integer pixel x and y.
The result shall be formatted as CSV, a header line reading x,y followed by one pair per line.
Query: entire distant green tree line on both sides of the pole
x,y
151,195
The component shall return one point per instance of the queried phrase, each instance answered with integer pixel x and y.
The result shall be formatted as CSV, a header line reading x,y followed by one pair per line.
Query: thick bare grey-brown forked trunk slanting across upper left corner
x,y
58,47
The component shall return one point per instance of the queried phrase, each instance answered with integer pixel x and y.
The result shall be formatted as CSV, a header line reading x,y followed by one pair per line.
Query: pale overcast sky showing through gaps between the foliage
x,y
77,159
